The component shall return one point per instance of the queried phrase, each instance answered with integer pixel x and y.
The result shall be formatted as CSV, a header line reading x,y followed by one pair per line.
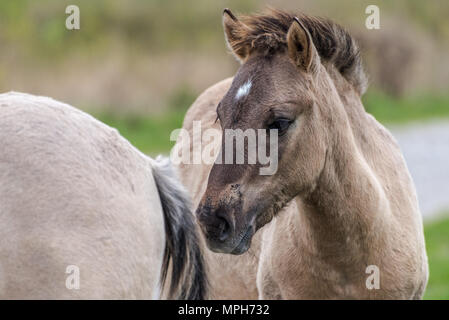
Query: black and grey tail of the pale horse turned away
x,y
188,279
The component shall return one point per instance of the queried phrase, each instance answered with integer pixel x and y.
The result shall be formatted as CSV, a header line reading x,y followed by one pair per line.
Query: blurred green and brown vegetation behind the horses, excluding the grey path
x,y
138,65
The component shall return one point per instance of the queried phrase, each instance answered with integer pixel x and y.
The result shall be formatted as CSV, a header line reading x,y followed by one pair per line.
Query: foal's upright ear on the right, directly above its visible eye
x,y
301,48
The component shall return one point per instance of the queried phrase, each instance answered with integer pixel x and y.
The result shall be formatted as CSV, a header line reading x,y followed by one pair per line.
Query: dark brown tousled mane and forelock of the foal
x,y
267,32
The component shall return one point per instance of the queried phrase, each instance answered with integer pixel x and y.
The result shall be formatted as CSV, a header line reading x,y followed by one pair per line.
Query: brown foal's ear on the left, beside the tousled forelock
x,y
235,34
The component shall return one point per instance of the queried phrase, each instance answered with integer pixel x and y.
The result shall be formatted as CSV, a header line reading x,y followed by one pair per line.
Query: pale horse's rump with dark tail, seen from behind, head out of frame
x,y
85,215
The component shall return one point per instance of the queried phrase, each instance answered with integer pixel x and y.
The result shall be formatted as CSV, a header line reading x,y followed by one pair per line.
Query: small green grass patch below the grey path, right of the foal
x,y
437,243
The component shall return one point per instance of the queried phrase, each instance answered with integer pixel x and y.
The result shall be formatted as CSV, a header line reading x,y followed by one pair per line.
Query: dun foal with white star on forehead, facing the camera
x,y
339,219
